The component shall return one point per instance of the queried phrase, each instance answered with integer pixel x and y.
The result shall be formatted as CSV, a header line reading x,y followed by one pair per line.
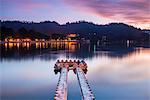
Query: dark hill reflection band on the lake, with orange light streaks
x,y
48,51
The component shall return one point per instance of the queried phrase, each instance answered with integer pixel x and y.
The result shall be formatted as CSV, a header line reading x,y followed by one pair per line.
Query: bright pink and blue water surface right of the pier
x,y
129,76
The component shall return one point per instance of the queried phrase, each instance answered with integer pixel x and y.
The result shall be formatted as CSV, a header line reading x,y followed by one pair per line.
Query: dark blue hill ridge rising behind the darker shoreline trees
x,y
84,29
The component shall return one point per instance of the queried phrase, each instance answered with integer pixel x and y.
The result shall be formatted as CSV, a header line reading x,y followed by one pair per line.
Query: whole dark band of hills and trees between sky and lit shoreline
x,y
87,30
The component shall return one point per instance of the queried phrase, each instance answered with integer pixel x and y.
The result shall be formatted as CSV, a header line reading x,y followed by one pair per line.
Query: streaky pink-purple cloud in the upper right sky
x,y
130,11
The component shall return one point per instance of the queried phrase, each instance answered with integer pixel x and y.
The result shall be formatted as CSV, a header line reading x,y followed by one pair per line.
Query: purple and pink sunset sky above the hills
x,y
132,12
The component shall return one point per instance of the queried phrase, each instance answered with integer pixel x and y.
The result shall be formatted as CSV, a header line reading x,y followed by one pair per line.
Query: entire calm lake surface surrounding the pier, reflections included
x,y
114,72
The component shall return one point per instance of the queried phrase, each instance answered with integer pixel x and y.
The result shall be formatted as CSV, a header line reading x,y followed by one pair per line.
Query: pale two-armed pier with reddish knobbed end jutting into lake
x,y
79,68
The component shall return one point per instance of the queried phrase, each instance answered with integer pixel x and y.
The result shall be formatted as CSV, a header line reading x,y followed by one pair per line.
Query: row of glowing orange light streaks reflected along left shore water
x,y
55,45
